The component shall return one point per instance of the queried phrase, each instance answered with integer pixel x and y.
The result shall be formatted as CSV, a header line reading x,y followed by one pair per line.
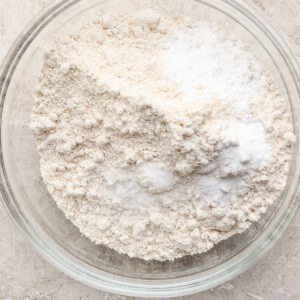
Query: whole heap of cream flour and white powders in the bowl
x,y
159,136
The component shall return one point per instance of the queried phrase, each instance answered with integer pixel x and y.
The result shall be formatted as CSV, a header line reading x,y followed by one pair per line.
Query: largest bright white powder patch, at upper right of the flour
x,y
209,58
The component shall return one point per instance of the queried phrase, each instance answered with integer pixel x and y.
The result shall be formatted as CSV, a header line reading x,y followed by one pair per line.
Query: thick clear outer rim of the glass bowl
x,y
118,284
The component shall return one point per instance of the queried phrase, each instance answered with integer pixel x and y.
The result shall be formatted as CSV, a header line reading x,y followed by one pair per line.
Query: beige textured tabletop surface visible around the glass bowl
x,y
25,275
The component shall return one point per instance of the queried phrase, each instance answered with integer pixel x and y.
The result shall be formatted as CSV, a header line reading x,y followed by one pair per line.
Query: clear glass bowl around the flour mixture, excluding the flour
x,y
33,210
